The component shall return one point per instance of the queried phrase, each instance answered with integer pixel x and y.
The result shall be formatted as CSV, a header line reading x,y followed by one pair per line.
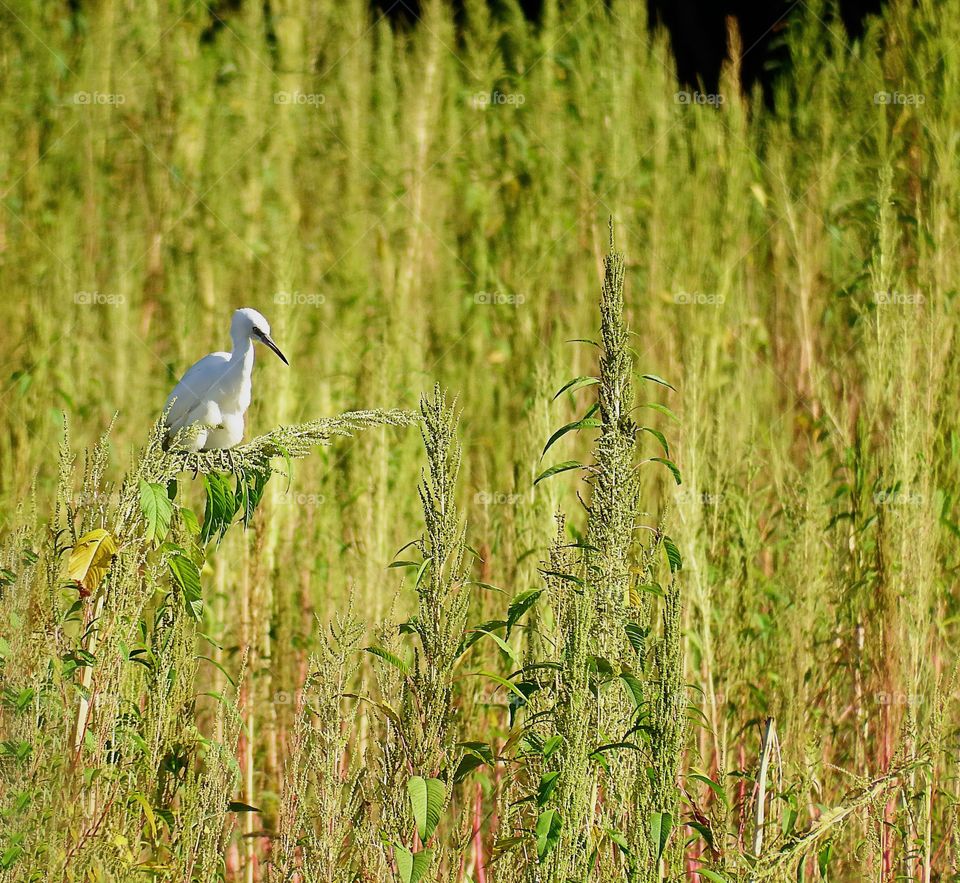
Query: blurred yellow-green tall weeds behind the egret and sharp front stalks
x,y
430,205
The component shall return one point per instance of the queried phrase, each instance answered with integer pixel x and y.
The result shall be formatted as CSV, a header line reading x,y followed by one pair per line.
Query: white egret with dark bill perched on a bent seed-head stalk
x,y
213,396
